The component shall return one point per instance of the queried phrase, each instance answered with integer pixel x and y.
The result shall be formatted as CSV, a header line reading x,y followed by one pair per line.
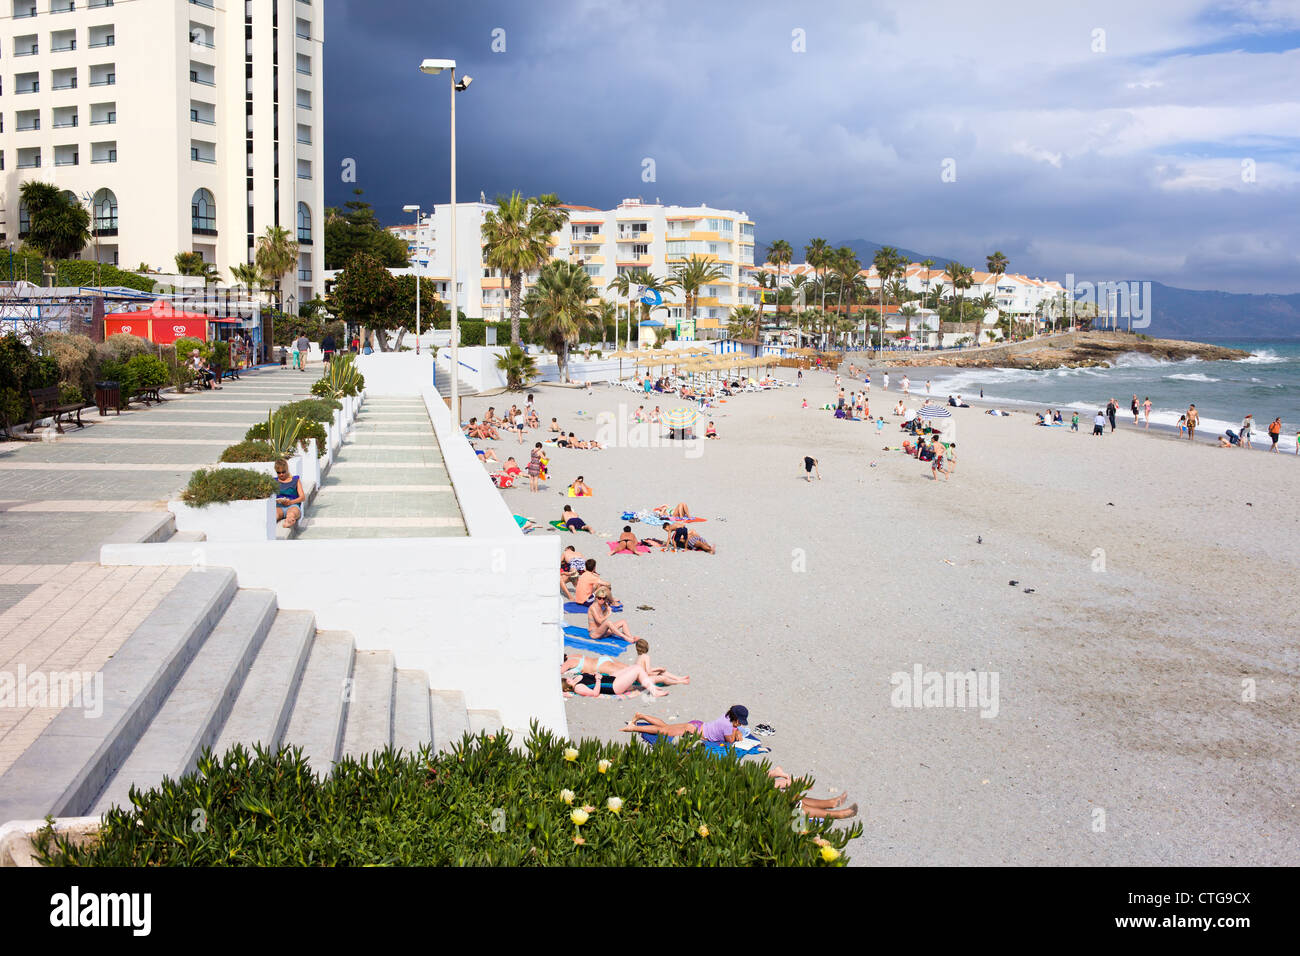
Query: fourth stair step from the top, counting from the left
x,y
317,724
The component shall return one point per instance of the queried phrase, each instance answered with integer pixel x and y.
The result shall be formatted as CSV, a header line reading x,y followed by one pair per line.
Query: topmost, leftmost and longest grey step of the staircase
x,y
72,760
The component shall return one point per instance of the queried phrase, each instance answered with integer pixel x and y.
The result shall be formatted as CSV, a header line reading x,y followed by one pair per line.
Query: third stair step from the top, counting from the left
x,y
262,710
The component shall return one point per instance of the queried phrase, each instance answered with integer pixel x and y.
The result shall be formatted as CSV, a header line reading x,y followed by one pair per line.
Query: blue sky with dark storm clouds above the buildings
x,y
1108,140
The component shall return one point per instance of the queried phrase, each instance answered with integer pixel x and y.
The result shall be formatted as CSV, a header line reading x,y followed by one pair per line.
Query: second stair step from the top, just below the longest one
x,y
201,702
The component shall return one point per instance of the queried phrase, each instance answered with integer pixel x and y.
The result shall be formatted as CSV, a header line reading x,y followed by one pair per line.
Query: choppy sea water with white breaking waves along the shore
x,y
1264,386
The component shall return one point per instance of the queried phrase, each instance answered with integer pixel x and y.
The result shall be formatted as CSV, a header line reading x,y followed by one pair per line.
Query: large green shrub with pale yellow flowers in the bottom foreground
x,y
483,804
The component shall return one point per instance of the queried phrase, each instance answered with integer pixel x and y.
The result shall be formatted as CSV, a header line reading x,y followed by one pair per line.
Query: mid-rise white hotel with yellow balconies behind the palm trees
x,y
635,236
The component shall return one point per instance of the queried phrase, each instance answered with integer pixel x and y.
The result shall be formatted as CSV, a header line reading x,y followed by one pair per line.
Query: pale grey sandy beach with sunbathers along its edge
x,y
1163,595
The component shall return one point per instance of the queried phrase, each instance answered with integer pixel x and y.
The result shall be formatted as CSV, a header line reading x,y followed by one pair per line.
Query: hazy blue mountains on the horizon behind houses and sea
x,y
1175,313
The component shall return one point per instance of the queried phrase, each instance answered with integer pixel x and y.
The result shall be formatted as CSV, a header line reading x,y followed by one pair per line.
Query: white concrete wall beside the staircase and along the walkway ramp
x,y
480,615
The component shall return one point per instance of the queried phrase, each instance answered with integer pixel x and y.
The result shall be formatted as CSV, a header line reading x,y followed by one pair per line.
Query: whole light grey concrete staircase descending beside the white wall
x,y
216,665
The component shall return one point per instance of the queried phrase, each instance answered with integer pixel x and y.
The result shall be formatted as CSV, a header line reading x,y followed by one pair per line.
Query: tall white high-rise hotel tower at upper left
x,y
185,126
